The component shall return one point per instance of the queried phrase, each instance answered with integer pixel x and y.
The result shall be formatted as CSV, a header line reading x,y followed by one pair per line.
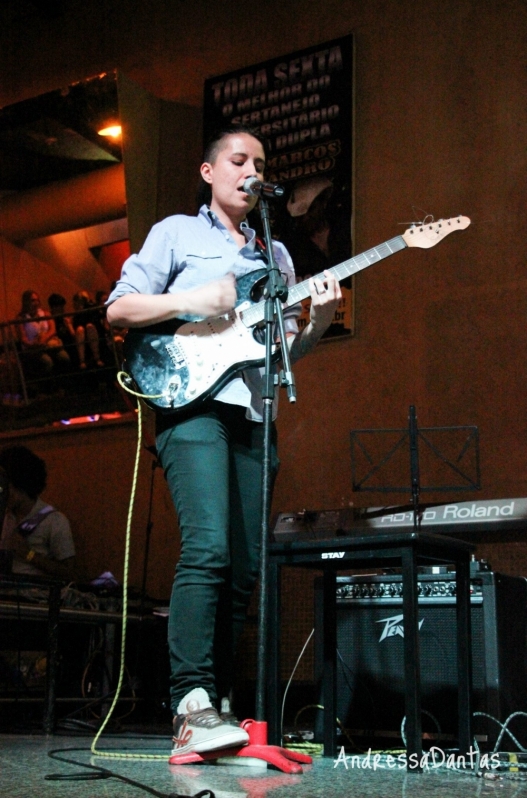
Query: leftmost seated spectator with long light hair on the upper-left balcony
x,y
38,336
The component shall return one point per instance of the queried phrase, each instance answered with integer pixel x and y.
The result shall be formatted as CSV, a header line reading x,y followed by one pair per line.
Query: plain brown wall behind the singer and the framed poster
x,y
440,121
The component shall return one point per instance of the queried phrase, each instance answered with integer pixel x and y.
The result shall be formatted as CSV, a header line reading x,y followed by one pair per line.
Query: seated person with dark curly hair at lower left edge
x,y
36,534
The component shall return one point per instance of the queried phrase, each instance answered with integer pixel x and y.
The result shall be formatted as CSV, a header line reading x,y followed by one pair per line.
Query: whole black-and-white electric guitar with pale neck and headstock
x,y
178,364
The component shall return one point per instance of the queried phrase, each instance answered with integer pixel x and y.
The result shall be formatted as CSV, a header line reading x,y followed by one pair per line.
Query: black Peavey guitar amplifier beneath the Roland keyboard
x,y
370,656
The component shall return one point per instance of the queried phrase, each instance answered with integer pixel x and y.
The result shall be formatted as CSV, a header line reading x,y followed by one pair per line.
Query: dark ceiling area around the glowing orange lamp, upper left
x,y
54,136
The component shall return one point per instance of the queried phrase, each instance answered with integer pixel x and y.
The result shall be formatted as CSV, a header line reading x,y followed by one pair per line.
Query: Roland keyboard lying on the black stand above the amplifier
x,y
467,520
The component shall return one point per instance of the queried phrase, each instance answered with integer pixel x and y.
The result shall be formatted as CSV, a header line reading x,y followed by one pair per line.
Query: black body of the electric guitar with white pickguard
x,y
178,364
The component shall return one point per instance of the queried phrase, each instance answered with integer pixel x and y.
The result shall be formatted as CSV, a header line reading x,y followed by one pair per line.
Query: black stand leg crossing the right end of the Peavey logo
x,y
412,667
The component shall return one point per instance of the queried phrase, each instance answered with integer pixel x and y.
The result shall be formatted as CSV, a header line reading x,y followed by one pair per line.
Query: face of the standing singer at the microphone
x,y
240,157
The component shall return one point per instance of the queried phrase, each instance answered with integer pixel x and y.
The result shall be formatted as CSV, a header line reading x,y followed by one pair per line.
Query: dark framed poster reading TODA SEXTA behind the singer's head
x,y
302,103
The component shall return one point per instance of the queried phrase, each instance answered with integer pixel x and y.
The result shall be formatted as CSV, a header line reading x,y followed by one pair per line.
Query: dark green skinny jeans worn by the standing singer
x,y
213,465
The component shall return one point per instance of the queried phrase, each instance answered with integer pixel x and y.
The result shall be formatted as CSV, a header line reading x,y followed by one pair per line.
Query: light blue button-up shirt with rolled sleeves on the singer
x,y
185,252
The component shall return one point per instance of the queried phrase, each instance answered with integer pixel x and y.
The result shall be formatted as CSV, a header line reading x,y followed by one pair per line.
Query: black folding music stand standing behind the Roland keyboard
x,y
458,458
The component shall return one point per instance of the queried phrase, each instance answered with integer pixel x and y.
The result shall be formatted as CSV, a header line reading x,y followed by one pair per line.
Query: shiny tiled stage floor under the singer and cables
x,y
25,763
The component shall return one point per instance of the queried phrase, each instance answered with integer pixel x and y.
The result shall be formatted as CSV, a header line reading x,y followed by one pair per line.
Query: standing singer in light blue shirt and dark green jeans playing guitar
x,y
212,454
